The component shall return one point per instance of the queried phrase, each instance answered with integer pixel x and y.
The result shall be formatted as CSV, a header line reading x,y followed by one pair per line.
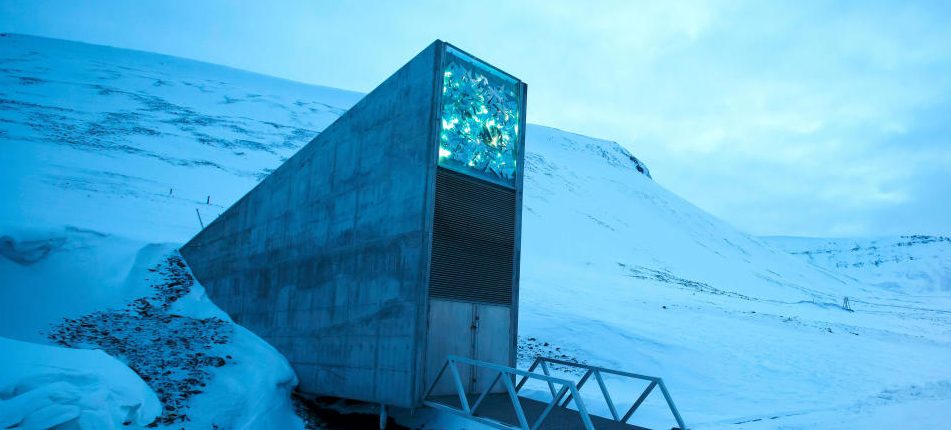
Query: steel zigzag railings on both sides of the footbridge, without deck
x,y
564,392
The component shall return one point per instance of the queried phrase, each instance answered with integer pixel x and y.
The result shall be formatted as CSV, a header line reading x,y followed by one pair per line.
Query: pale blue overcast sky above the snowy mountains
x,y
786,118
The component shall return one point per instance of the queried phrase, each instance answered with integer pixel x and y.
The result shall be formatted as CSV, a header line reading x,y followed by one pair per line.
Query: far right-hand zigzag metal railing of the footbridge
x,y
544,363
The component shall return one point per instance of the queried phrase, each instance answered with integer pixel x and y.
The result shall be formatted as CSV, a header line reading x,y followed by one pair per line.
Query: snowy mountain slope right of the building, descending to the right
x,y
621,272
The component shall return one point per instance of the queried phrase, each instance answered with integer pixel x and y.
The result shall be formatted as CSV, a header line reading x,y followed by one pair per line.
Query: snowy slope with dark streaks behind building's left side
x,y
115,126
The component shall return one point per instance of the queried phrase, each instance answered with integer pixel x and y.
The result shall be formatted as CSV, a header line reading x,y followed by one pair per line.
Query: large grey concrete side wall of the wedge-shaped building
x,y
327,258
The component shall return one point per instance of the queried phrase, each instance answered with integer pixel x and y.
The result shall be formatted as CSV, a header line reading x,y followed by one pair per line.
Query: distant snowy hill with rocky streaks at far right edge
x,y
914,264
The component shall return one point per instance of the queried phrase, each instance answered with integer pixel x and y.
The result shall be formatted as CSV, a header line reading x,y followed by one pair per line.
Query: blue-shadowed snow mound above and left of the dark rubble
x,y
78,272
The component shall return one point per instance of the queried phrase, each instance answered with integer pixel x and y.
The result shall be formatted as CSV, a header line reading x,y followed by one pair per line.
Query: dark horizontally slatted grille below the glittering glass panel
x,y
473,240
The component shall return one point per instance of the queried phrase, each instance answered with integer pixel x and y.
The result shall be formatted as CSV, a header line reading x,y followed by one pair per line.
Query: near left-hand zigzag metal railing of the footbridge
x,y
506,375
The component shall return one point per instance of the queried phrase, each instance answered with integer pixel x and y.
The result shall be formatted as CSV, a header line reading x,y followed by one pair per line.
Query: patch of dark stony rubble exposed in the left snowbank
x,y
171,353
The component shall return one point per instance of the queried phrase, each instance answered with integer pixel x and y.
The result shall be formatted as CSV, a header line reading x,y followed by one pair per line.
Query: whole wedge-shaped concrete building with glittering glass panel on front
x,y
388,242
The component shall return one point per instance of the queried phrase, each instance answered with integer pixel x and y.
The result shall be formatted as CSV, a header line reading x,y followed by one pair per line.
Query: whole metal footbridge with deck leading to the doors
x,y
500,404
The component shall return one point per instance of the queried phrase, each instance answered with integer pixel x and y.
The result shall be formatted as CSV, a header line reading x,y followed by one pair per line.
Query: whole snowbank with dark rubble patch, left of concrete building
x,y
138,302
